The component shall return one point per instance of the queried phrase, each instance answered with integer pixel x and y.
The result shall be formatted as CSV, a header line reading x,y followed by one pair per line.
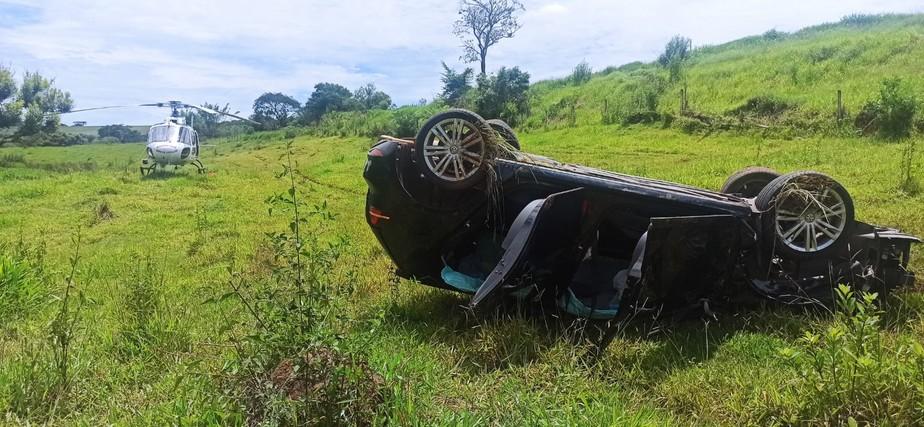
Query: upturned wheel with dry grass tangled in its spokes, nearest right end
x,y
808,213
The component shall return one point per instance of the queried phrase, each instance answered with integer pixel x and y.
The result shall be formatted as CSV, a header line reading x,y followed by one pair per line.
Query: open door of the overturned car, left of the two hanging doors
x,y
540,243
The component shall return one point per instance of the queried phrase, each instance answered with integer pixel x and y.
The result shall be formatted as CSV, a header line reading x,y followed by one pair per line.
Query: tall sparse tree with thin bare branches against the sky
x,y
484,23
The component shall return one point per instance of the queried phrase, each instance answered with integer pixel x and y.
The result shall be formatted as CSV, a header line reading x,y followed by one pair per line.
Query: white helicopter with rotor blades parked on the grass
x,y
172,142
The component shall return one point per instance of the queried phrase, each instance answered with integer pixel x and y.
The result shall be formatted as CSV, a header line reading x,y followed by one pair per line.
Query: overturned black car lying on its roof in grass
x,y
462,208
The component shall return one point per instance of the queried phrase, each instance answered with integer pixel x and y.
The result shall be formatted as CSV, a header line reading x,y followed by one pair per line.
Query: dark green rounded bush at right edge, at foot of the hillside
x,y
892,114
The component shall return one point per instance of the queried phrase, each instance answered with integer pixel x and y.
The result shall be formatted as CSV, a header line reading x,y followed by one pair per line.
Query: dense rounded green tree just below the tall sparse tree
x,y
503,95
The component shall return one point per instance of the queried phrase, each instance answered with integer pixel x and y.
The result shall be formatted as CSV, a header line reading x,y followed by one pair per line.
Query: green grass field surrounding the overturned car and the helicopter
x,y
438,365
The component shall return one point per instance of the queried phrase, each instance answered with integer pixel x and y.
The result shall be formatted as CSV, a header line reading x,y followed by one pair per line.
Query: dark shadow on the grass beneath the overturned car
x,y
519,333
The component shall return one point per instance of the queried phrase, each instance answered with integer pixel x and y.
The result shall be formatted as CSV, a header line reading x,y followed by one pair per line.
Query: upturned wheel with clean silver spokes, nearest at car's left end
x,y
453,149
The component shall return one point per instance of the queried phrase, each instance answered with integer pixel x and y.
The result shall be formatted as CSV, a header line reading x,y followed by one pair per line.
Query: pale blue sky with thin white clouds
x,y
118,52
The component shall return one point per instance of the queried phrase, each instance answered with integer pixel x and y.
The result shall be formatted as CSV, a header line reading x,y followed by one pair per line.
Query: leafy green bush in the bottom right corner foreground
x,y
853,372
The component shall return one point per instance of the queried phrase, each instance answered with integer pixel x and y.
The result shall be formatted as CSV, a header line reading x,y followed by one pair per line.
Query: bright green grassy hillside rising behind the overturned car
x,y
805,69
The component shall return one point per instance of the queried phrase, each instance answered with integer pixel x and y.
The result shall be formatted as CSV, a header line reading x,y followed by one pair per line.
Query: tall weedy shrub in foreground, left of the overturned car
x,y
290,367
